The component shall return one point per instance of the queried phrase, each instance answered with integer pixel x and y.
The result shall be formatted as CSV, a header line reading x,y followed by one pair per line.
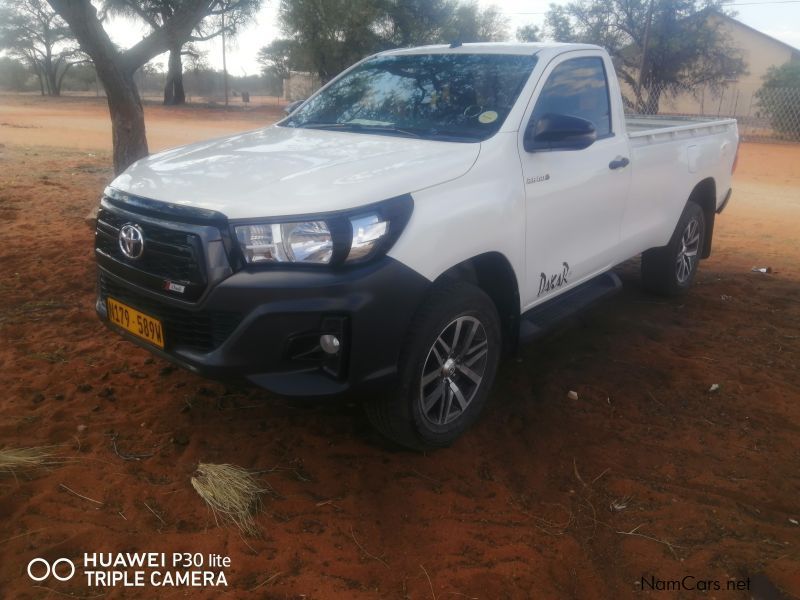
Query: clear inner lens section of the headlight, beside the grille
x,y
303,242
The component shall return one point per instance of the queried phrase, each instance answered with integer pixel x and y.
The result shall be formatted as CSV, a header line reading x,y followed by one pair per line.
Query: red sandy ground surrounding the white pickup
x,y
518,508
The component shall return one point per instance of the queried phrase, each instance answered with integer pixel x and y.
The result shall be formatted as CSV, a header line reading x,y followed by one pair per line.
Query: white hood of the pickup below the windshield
x,y
280,171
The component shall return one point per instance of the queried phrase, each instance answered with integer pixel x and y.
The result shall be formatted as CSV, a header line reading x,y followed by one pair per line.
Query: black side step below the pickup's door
x,y
544,317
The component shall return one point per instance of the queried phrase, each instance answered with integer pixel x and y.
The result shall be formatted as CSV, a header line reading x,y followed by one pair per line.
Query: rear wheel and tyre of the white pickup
x,y
670,270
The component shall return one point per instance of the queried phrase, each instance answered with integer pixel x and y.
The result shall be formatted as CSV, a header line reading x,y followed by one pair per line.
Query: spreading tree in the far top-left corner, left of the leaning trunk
x,y
31,31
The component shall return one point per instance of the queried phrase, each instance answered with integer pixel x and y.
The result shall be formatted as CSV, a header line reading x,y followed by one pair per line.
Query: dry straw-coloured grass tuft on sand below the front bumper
x,y
231,492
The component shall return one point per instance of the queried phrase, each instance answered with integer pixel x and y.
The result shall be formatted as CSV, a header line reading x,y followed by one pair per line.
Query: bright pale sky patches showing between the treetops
x,y
777,18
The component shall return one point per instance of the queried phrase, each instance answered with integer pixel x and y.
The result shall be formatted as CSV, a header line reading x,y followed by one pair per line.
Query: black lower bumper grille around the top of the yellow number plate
x,y
202,331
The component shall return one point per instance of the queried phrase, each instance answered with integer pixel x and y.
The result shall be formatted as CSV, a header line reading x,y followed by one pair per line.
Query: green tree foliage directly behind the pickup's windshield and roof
x,y
327,36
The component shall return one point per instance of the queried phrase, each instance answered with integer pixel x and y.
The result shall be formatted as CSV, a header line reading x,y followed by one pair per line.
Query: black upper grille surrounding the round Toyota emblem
x,y
168,254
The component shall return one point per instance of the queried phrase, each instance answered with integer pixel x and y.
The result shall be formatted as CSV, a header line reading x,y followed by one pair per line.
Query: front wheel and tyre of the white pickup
x,y
443,385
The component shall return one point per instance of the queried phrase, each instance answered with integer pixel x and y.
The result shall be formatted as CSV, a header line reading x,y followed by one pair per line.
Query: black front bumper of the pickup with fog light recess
x,y
264,324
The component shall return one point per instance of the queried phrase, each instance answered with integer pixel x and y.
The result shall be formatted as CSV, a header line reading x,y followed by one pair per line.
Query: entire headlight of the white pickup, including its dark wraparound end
x,y
329,239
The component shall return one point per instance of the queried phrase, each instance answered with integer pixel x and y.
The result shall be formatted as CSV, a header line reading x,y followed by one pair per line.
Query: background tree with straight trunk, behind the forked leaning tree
x,y
226,16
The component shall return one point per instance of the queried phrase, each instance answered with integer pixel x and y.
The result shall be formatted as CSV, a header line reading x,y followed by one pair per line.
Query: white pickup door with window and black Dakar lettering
x,y
575,198
